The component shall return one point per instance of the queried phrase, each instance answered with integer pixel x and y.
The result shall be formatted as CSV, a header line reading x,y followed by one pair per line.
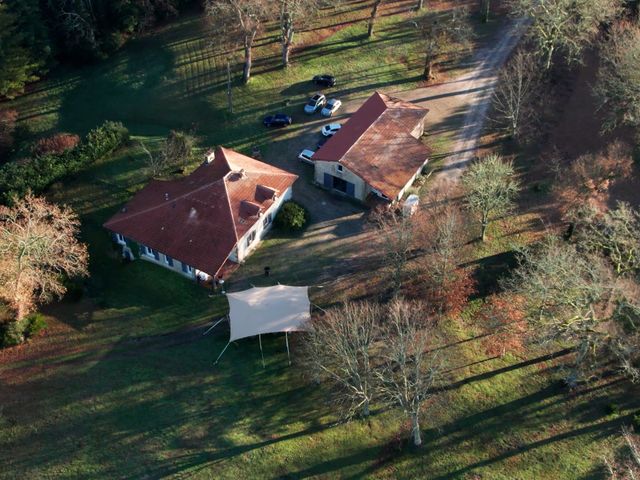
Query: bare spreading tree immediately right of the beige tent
x,y
339,350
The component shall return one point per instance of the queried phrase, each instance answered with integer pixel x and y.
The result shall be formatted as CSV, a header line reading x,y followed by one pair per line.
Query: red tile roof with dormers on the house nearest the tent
x,y
199,219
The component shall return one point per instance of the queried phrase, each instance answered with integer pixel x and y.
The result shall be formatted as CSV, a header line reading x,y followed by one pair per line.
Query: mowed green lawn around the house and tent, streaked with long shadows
x,y
123,384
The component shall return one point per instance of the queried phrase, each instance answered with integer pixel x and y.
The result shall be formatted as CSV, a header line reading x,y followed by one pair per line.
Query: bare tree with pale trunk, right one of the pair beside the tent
x,y
409,367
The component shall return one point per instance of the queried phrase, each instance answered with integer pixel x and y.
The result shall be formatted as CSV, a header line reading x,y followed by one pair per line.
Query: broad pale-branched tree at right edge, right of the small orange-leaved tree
x,y
573,297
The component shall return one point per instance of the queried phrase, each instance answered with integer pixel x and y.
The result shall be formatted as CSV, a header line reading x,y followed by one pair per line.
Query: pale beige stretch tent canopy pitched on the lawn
x,y
268,310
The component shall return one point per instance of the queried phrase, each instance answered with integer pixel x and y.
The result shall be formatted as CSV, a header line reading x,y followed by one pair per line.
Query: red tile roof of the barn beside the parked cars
x,y
376,143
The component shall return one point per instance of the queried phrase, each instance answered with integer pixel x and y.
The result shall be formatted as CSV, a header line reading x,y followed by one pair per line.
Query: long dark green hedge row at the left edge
x,y
36,174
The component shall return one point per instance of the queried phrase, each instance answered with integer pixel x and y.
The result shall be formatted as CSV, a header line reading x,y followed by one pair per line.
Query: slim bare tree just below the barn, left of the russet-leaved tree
x,y
397,238
